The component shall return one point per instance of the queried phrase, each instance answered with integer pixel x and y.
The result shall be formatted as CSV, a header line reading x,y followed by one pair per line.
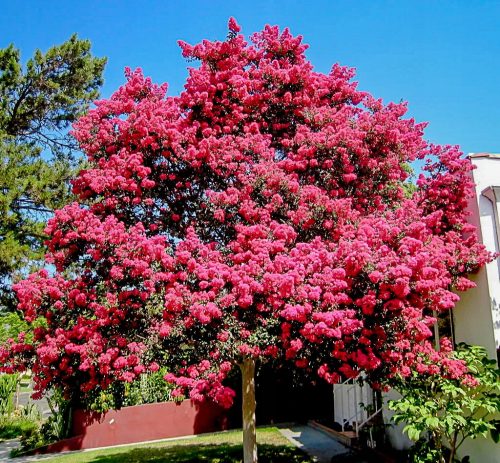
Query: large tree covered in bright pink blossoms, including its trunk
x,y
264,215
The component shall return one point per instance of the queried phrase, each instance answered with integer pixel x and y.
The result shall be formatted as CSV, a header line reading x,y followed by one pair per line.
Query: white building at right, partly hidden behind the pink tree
x,y
476,318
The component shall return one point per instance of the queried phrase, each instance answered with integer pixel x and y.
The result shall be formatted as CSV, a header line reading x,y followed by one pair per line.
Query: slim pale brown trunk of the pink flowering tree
x,y
248,398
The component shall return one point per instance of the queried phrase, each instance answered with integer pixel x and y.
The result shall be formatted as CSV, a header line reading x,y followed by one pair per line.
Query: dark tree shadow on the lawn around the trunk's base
x,y
223,453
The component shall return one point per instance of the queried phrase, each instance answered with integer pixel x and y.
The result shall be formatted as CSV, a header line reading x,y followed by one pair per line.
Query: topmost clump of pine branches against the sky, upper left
x,y
53,90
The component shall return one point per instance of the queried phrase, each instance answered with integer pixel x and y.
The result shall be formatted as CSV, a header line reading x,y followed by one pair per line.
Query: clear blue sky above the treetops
x,y
443,57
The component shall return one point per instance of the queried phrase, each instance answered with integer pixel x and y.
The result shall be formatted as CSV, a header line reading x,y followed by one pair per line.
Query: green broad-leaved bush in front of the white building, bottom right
x,y
441,409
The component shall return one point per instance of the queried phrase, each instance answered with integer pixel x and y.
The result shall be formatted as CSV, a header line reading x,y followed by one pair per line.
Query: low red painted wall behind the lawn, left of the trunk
x,y
141,423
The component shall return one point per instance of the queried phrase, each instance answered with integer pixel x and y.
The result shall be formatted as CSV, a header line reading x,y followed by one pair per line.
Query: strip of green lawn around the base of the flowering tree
x,y
222,447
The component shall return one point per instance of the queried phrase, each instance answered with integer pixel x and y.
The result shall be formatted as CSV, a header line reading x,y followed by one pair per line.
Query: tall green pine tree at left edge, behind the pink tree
x,y
38,102
